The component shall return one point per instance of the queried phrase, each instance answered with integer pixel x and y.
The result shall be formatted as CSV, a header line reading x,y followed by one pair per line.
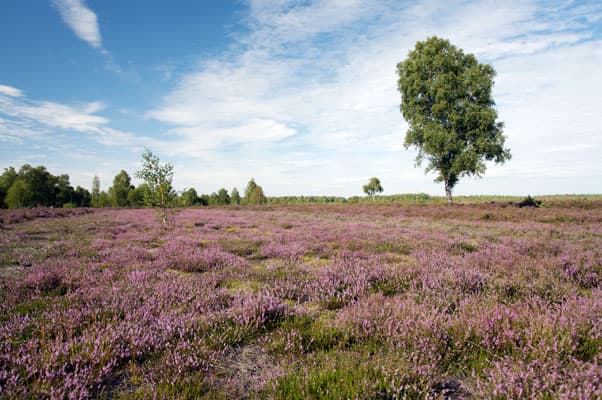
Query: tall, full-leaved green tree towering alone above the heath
x,y
446,100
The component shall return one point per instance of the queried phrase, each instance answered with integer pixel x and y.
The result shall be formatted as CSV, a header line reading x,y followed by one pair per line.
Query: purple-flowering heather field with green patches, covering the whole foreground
x,y
482,301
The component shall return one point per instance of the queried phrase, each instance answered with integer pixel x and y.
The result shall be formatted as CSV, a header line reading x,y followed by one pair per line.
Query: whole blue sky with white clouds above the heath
x,y
299,94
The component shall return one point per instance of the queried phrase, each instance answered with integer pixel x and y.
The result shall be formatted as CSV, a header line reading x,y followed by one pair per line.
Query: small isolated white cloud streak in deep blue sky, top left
x,y
81,19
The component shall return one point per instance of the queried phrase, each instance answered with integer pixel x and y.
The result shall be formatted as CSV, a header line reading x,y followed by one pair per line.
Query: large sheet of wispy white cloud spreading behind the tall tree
x,y
324,71
